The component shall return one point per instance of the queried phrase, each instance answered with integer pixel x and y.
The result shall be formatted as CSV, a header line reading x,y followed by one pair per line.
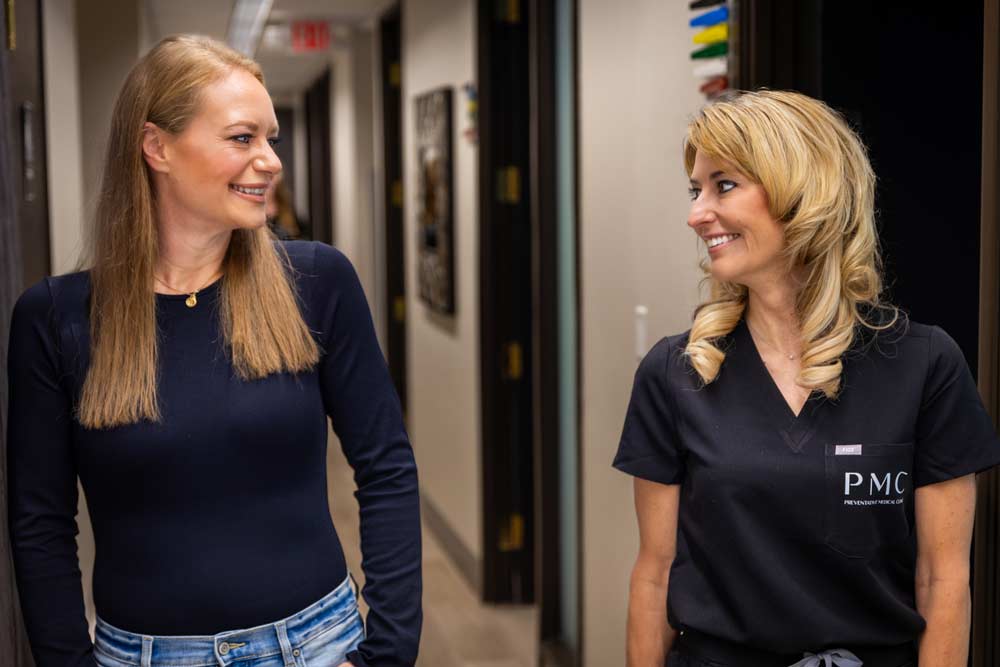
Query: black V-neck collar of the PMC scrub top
x,y
795,430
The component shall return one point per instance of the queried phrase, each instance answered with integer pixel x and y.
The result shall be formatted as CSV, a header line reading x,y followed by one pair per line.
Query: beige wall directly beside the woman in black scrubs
x,y
636,91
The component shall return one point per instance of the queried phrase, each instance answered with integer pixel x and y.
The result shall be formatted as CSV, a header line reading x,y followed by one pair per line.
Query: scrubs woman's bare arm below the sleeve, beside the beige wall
x,y
649,636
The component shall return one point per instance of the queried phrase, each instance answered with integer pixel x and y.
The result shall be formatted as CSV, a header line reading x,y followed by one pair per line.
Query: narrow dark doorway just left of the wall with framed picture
x,y
392,200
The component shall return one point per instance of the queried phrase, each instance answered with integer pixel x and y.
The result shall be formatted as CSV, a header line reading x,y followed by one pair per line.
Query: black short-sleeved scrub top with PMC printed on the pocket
x,y
797,533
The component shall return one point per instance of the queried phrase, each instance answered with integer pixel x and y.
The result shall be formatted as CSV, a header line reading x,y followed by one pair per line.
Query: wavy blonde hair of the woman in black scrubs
x,y
820,185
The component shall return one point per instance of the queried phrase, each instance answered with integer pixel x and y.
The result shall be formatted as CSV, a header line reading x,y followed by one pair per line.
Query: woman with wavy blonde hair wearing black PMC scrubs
x,y
804,456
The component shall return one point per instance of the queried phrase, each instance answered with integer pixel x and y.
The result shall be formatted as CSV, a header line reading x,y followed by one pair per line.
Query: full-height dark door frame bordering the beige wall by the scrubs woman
x,y
546,168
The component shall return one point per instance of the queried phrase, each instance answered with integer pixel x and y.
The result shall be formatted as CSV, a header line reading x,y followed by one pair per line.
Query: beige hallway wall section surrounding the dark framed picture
x,y
443,352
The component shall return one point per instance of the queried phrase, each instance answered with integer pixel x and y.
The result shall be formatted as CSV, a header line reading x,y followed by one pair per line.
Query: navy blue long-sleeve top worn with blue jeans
x,y
215,518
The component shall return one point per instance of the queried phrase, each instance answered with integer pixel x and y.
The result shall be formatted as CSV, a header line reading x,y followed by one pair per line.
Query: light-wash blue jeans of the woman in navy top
x,y
320,635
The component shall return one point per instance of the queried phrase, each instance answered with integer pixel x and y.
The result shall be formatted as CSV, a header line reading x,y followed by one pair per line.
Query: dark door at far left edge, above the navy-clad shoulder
x,y
24,110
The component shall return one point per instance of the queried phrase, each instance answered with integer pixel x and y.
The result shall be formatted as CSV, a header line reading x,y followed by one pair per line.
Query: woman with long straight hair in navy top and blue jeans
x,y
188,378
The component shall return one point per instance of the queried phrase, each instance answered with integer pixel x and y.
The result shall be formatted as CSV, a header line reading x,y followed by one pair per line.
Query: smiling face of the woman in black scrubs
x,y
730,213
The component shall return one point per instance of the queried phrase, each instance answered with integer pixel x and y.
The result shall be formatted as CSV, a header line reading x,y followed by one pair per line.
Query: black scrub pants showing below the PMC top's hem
x,y
731,654
